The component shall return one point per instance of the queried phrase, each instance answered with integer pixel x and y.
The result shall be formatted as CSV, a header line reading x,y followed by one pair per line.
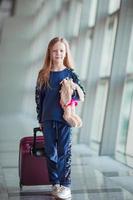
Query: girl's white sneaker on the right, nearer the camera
x,y
64,192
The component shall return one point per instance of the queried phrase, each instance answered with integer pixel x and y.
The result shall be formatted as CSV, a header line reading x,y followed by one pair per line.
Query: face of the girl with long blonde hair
x,y
58,53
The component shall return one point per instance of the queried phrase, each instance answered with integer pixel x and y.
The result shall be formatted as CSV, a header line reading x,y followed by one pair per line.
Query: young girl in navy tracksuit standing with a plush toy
x,y
58,65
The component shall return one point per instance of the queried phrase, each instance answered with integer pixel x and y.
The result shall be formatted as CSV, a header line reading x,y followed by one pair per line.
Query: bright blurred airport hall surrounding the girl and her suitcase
x,y
100,34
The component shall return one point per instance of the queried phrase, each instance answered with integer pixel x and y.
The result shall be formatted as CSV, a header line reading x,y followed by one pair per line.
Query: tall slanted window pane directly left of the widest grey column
x,y
103,83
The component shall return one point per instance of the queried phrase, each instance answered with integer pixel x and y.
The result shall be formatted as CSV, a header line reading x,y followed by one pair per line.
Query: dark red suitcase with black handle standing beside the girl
x,y
32,161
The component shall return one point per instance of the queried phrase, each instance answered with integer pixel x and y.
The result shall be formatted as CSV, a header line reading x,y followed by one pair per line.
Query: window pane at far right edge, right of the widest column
x,y
125,132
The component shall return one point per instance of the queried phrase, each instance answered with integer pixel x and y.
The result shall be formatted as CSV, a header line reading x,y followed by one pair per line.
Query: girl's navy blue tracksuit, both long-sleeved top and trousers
x,y
56,130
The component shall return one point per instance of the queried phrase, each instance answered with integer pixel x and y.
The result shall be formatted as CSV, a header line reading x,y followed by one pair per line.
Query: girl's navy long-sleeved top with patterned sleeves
x,y
48,98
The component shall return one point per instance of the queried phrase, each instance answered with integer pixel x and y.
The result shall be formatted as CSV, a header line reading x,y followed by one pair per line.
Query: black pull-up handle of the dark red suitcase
x,y
35,150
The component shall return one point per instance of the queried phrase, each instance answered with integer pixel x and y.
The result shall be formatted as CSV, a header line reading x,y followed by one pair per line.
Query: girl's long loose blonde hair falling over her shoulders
x,y
43,75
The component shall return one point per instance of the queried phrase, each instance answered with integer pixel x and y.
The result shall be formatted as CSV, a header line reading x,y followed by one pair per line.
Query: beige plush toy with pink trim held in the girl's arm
x,y
68,103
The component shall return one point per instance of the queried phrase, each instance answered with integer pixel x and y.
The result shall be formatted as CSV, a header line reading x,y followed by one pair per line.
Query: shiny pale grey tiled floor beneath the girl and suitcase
x,y
93,177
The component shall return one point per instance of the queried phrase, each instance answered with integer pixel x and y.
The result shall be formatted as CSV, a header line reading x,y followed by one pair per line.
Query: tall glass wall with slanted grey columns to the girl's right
x,y
104,58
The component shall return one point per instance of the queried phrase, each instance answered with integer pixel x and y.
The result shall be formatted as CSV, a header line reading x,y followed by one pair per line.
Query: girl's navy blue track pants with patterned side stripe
x,y
58,140
